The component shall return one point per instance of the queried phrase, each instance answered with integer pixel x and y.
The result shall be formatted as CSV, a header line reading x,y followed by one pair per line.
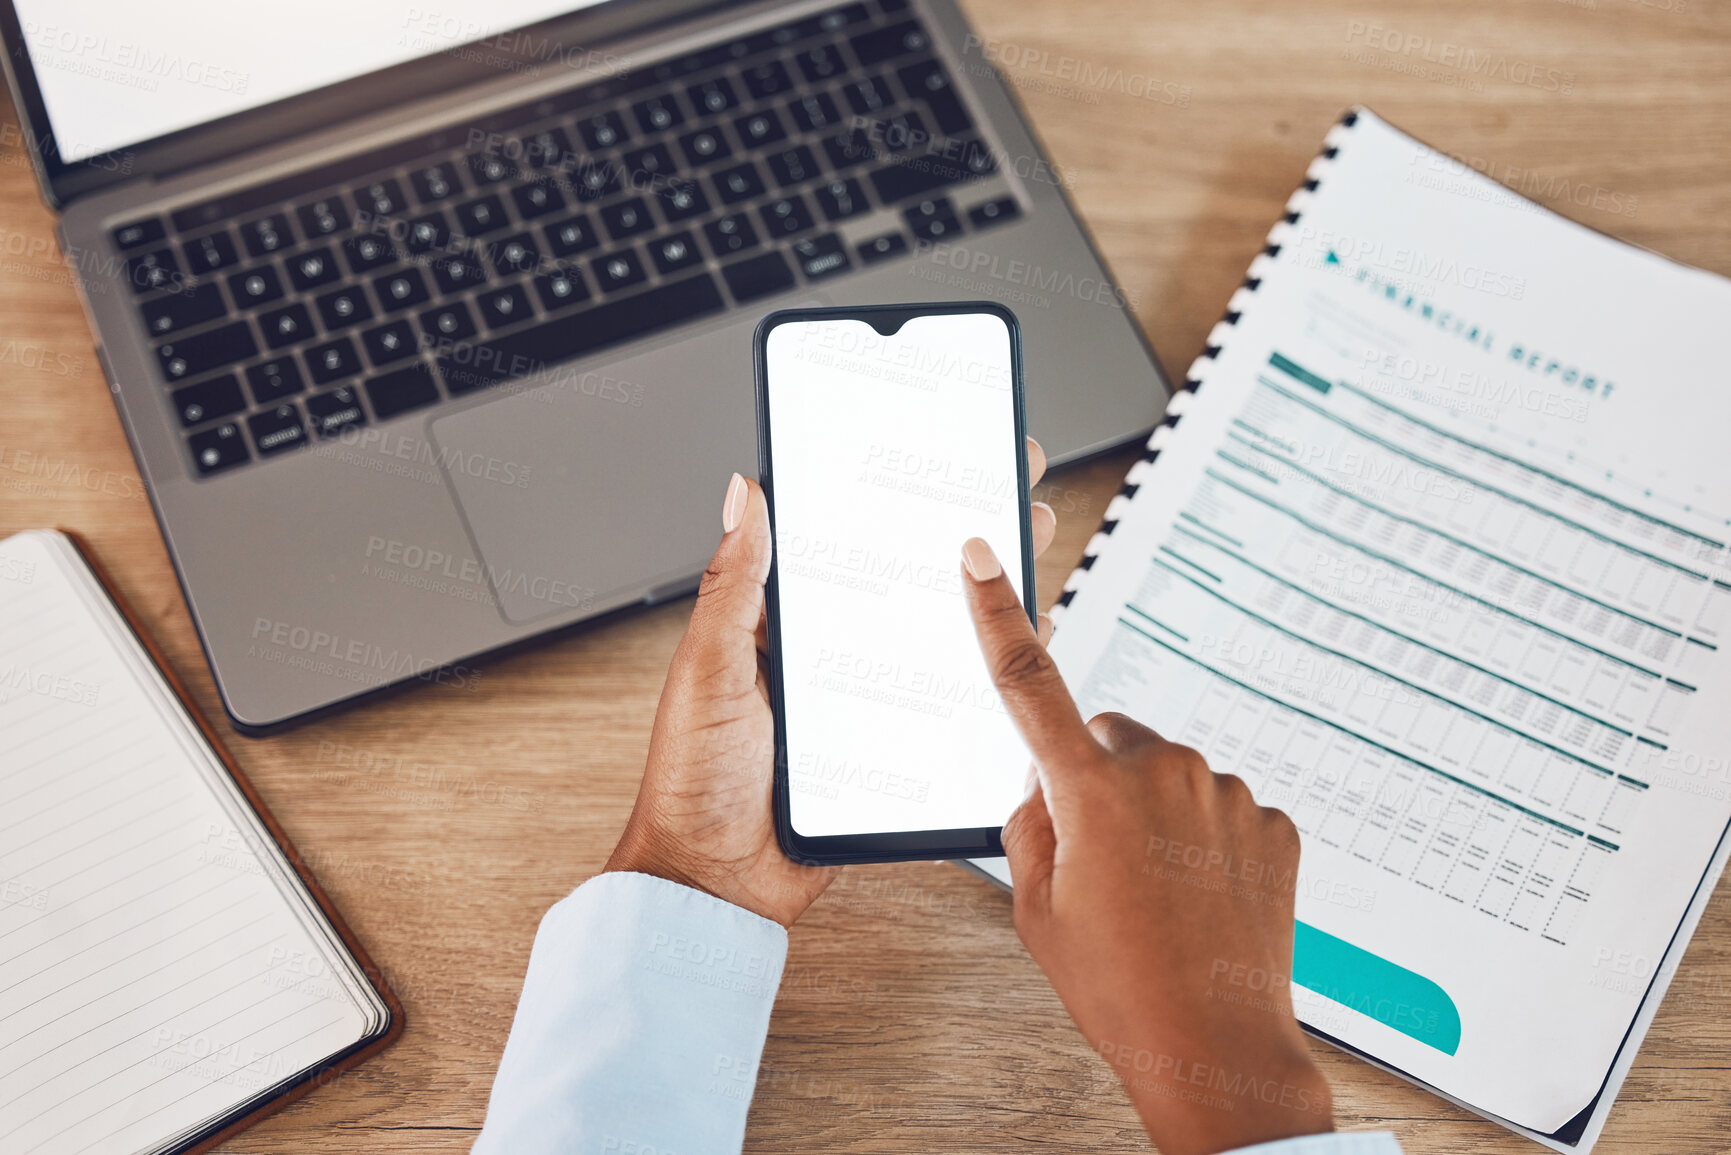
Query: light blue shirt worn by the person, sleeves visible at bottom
x,y
643,1021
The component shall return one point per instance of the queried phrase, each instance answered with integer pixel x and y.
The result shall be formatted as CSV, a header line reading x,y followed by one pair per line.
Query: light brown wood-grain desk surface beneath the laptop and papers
x,y
910,1019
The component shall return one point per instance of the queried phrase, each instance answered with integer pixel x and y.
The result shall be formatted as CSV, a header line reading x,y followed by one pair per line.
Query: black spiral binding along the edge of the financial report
x,y
1199,371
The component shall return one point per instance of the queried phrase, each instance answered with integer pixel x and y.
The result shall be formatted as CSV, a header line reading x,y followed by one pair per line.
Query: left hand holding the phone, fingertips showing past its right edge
x,y
705,813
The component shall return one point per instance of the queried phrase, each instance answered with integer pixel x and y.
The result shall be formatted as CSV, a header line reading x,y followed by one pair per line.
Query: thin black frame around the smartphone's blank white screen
x,y
889,846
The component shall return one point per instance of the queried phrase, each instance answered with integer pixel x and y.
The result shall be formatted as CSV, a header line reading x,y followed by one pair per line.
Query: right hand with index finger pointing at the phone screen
x,y
1149,889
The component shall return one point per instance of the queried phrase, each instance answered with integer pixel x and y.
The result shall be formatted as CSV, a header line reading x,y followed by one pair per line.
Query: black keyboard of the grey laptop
x,y
496,250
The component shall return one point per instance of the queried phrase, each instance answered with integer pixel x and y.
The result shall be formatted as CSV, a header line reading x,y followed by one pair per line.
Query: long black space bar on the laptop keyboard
x,y
529,354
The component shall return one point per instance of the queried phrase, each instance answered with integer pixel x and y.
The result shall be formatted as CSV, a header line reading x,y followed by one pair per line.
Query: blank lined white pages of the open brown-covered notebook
x,y
160,967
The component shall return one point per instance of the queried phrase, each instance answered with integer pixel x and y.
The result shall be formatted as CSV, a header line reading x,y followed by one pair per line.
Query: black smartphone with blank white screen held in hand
x,y
889,437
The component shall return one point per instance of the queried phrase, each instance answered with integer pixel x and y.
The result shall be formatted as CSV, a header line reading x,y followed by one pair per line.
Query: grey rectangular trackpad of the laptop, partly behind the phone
x,y
589,487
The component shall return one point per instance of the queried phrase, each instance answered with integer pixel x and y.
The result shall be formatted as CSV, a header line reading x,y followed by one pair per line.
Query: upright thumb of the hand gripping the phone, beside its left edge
x,y
731,595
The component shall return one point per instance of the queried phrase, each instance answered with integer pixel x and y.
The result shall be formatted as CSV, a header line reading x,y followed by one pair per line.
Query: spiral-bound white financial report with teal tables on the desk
x,y
1432,550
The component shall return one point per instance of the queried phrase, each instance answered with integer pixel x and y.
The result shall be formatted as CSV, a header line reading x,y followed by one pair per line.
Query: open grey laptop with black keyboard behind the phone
x,y
430,326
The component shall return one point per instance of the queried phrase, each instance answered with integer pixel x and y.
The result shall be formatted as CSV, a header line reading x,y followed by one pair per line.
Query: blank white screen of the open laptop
x,y
115,74
